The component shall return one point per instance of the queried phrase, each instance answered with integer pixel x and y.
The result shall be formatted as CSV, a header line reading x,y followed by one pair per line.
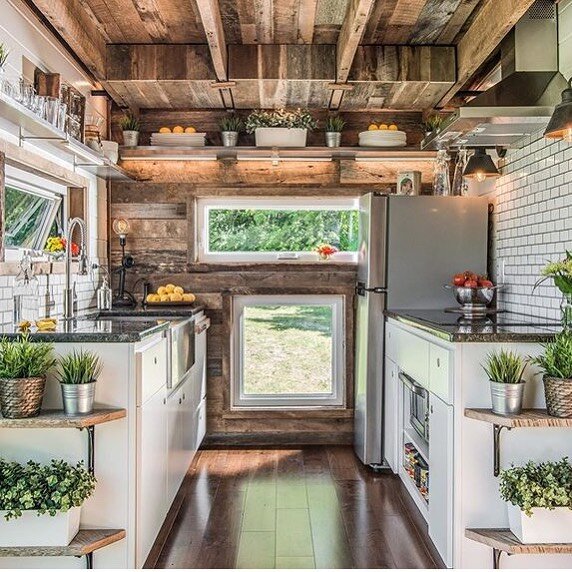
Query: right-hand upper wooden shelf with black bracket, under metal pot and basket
x,y
528,418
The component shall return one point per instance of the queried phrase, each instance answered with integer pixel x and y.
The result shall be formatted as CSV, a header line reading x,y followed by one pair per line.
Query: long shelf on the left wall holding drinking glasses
x,y
27,126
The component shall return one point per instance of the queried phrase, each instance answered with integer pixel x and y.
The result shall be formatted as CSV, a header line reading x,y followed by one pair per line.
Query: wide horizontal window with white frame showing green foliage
x,y
273,229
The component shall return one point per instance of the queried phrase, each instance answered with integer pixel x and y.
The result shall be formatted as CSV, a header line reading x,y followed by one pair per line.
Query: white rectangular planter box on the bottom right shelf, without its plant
x,y
544,526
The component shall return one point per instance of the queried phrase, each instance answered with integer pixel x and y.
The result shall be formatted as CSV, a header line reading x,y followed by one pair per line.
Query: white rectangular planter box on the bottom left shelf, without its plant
x,y
44,530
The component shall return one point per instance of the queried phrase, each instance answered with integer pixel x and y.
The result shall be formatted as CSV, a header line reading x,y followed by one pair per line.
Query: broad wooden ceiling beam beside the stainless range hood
x,y
493,22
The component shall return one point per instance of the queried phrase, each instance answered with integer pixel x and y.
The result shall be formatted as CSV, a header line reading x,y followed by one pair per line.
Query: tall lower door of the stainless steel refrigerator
x,y
368,423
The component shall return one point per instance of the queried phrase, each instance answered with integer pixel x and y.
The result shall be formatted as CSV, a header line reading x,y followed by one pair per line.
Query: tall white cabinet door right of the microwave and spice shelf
x,y
441,477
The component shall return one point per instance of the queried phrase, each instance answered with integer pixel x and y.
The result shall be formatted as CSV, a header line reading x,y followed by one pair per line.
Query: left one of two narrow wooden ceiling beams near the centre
x,y
209,12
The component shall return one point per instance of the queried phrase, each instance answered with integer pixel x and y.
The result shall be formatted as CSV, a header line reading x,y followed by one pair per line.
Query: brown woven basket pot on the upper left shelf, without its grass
x,y
20,398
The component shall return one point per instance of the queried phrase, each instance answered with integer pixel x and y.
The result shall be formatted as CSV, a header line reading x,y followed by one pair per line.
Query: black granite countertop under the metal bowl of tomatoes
x,y
449,325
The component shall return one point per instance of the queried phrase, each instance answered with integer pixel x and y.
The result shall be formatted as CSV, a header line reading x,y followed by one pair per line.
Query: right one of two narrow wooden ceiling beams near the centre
x,y
348,41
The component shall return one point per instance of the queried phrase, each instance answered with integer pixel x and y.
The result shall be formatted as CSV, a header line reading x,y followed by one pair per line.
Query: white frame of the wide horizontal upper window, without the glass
x,y
282,203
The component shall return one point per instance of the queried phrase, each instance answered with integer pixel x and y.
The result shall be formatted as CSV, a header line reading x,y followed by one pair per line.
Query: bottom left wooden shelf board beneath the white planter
x,y
84,543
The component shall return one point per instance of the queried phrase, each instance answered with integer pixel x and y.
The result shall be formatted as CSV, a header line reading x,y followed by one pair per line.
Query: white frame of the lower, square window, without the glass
x,y
337,398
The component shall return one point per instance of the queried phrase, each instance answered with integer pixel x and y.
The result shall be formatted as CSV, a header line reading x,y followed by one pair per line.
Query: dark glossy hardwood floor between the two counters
x,y
314,507
